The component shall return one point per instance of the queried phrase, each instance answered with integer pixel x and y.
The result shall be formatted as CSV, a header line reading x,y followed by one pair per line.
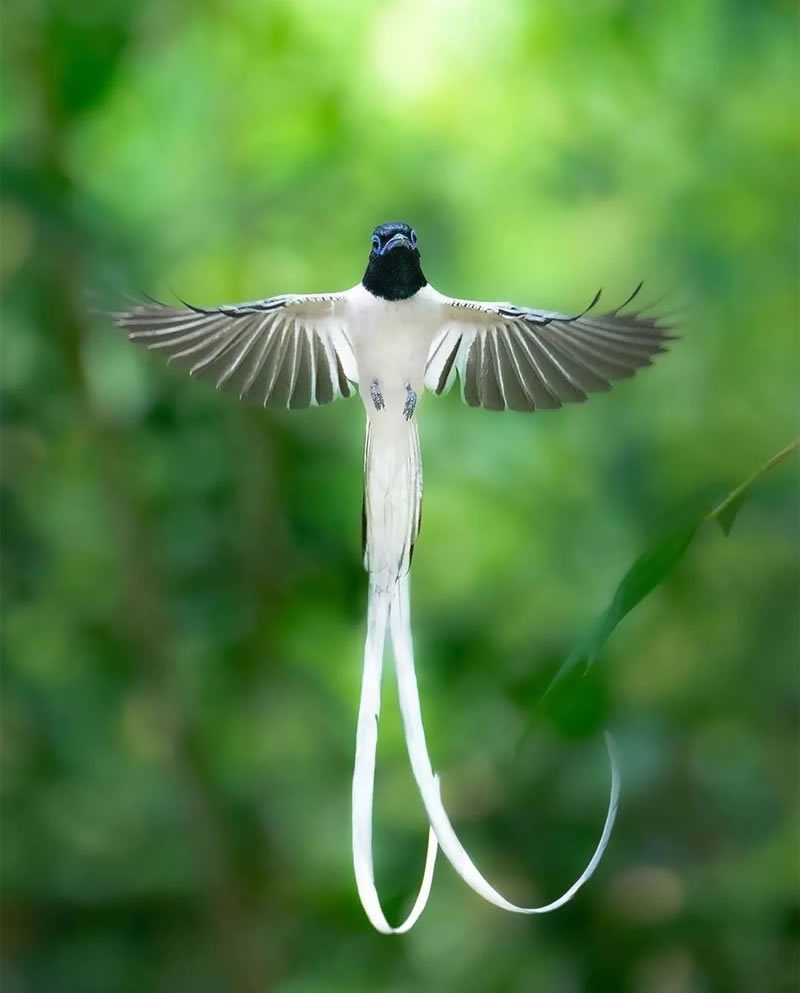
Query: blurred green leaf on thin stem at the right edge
x,y
654,565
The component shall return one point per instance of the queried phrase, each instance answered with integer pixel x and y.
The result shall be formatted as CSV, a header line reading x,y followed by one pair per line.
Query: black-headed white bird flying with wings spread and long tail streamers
x,y
390,337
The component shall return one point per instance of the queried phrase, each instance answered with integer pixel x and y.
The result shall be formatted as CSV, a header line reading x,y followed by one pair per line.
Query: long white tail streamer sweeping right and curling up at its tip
x,y
428,783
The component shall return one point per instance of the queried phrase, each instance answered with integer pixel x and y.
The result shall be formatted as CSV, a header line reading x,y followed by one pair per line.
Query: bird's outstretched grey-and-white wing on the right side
x,y
521,359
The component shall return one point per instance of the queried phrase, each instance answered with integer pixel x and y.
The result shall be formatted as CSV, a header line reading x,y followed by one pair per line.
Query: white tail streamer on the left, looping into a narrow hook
x,y
364,777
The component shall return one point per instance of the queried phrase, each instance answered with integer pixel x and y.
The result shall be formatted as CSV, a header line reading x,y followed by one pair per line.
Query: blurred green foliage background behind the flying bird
x,y
183,594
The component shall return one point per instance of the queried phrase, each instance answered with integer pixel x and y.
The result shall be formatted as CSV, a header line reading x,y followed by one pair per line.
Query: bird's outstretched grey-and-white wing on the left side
x,y
286,351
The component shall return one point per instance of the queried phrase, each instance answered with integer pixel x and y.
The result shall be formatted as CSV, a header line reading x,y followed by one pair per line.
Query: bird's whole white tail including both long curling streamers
x,y
392,502
